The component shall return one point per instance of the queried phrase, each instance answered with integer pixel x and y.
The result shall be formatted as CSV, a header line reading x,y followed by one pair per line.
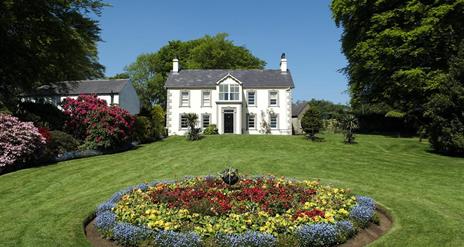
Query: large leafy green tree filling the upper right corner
x,y
404,59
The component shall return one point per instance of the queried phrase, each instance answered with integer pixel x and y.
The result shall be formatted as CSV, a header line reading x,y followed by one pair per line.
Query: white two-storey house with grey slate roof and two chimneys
x,y
237,101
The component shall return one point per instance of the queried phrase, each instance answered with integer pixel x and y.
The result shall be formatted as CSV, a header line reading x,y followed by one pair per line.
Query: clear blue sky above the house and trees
x,y
302,29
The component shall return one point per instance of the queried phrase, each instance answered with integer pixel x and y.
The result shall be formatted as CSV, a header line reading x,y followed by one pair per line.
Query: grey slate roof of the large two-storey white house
x,y
250,78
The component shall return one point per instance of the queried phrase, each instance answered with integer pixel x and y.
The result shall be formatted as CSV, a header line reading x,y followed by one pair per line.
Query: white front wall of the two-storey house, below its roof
x,y
283,109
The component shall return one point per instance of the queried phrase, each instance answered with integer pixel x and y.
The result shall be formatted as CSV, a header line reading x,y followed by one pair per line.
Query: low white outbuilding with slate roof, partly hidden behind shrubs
x,y
116,92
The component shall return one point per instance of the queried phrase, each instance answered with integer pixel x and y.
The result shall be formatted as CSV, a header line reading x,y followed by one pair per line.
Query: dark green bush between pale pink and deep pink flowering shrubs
x,y
59,143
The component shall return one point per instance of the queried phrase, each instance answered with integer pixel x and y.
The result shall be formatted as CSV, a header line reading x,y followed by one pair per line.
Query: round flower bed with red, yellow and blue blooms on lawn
x,y
204,211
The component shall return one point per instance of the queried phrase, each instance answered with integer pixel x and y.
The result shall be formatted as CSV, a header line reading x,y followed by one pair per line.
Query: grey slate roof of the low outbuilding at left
x,y
81,87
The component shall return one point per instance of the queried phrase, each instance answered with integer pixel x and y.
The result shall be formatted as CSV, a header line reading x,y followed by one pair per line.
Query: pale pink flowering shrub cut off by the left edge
x,y
19,141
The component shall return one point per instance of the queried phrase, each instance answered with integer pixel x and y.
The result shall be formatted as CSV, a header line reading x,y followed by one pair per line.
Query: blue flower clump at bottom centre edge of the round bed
x,y
249,239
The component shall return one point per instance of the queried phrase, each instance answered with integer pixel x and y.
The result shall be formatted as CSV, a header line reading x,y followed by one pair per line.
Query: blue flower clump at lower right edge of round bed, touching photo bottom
x,y
320,234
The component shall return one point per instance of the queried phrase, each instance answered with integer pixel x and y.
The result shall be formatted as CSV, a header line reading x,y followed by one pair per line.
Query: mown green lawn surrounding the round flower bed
x,y
46,206
